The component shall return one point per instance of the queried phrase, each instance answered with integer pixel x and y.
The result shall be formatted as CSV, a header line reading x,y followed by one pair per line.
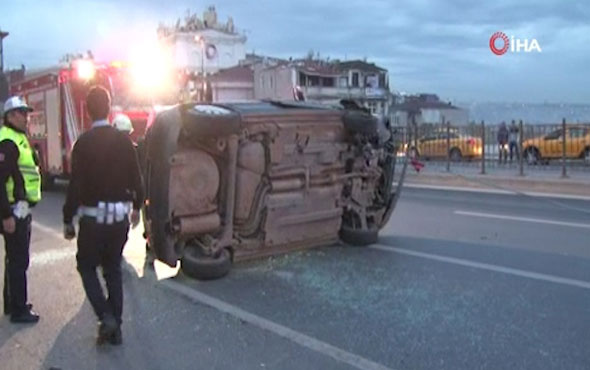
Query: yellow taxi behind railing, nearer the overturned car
x,y
434,145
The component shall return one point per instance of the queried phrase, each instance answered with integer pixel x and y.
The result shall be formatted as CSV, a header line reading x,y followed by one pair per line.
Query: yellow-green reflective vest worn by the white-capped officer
x,y
26,165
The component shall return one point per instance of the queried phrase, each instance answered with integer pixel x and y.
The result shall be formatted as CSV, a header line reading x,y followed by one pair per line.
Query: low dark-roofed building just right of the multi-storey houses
x,y
427,109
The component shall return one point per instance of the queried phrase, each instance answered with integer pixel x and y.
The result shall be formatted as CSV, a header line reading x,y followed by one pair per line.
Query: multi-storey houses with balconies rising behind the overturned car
x,y
324,81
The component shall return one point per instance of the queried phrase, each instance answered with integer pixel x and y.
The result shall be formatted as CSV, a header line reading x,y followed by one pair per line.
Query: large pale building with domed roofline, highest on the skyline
x,y
203,44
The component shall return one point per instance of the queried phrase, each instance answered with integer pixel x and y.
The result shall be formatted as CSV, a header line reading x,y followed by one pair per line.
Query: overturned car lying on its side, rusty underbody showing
x,y
228,182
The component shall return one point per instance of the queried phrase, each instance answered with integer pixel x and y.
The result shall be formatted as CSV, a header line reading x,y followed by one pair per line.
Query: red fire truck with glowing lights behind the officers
x,y
57,96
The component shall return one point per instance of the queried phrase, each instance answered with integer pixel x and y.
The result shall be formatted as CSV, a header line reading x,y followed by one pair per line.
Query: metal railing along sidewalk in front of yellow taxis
x,y
515,146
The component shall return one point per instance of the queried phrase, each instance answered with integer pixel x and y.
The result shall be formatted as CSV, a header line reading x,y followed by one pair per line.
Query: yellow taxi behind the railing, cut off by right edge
x,y
550,146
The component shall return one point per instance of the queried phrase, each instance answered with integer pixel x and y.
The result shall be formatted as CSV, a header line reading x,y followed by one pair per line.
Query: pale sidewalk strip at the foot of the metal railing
x,y
546,180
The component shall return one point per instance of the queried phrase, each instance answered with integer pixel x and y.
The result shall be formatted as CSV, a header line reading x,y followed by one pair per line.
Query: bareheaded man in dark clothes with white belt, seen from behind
x,y
105,180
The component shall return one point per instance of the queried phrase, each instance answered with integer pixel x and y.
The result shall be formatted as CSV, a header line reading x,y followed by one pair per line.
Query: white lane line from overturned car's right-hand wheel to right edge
x,y
487,266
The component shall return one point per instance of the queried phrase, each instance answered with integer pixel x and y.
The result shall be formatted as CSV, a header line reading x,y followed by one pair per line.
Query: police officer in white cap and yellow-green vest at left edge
x,y
21,179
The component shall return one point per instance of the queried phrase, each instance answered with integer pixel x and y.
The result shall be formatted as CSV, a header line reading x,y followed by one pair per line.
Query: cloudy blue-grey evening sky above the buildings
x,y
427,46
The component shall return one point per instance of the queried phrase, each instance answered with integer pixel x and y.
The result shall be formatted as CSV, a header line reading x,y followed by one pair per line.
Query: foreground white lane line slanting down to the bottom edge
x,y
280,330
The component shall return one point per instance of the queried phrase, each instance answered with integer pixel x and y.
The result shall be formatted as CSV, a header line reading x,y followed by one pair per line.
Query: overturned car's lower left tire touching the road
x,y
199,266
